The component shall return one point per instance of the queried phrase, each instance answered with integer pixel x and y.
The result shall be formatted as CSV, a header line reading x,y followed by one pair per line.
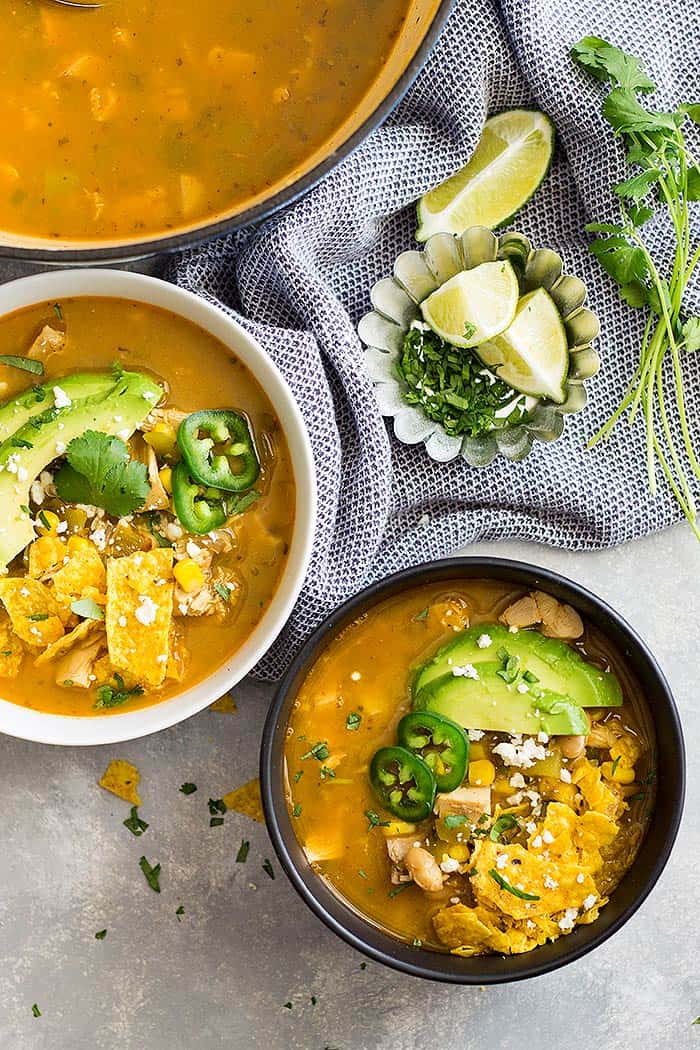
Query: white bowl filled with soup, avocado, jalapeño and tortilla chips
x,y
158,506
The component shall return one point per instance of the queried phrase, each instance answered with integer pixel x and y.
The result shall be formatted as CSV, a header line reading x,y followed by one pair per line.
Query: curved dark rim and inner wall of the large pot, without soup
x,y
420,32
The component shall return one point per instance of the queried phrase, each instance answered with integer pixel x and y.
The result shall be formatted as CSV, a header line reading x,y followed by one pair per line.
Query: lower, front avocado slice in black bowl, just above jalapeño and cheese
x,y
492,704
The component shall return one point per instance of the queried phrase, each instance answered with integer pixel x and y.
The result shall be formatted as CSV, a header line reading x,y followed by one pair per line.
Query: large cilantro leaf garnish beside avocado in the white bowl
x,y
101,473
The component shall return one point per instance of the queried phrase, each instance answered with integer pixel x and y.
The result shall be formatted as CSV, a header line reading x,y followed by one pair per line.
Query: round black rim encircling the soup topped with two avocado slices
x,y
395,954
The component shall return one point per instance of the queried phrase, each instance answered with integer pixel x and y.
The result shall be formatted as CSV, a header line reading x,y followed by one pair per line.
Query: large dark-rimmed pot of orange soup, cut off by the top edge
x,y
135,129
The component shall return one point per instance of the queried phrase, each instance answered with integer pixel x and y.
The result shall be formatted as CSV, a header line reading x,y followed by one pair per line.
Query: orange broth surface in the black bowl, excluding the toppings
x,y
366,674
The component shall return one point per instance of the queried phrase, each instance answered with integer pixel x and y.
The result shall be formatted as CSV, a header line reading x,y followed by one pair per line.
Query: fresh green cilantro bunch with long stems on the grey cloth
x,y
664,175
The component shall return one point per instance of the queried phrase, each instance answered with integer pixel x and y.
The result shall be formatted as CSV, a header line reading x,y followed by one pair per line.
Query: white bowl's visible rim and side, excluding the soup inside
x,y
22,722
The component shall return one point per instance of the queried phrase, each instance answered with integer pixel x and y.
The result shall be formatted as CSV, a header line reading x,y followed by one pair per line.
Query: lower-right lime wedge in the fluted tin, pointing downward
x,y
533,355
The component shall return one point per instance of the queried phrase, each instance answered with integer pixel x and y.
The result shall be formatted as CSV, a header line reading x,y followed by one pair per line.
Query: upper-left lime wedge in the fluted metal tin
x,y
475,305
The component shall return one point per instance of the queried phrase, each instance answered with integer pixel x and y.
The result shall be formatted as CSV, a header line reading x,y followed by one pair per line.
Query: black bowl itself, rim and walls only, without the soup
x,y
634,888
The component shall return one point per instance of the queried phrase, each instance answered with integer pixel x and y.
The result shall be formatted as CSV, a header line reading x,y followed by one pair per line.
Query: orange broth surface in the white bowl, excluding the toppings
x,y
199,372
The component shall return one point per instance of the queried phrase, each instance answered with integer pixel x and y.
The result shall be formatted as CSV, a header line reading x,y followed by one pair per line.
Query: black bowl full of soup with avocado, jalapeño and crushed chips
x,y
474,772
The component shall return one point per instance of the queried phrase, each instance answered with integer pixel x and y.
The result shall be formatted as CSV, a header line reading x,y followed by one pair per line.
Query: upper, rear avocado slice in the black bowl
x,y
560,669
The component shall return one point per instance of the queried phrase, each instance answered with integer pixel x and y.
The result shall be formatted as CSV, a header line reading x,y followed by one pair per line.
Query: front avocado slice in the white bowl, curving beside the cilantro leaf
x,y
46,436
